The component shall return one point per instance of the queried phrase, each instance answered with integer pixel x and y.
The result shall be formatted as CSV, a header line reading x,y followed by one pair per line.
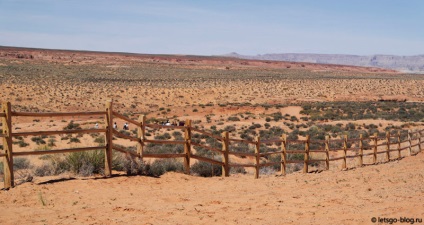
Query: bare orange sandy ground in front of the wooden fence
x,y
390,190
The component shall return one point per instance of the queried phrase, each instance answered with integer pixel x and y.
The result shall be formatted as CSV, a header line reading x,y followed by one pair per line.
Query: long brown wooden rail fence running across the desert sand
x,y
325,151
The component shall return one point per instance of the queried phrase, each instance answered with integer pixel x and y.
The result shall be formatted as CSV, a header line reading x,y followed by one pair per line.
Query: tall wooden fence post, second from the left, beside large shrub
x,y
109,137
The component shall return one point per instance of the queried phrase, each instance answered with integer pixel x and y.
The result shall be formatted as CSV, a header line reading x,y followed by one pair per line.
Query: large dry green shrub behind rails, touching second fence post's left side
x,y
86,163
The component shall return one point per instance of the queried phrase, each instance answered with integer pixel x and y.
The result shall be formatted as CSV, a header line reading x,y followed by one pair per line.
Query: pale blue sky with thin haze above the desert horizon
x,y
201,27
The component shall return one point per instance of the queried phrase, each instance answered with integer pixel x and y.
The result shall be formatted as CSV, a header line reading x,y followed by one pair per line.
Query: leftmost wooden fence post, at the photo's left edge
x,y
9,180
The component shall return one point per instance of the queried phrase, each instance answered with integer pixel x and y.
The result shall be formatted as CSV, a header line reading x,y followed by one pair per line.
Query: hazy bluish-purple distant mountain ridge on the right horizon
x,y
410,64
